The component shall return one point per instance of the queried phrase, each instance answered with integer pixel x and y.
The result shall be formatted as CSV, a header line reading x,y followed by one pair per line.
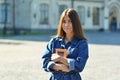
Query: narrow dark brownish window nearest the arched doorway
x,y
96,16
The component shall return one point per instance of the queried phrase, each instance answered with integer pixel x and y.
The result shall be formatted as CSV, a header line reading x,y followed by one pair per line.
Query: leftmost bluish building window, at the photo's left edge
x,y
4,13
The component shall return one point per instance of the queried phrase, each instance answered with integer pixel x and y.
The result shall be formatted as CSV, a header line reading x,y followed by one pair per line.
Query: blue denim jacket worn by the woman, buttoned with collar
x,y
77,55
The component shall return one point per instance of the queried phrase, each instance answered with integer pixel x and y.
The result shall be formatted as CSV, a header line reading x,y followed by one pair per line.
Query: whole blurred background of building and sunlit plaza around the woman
x,y
26,27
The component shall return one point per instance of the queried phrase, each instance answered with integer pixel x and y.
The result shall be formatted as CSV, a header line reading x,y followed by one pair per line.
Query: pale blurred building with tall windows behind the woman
x,y
44,14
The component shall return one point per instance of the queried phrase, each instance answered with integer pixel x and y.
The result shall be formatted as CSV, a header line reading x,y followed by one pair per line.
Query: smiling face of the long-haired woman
x,y
67,25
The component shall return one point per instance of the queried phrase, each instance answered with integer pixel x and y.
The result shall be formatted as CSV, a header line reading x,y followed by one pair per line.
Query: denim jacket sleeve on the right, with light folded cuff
x,y
78,64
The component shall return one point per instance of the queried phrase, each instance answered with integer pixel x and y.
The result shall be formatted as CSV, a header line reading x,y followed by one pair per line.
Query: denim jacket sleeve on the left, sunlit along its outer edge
x,y
46,58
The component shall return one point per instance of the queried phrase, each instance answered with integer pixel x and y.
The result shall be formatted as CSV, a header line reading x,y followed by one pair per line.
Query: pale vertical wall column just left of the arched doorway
x,y
106,15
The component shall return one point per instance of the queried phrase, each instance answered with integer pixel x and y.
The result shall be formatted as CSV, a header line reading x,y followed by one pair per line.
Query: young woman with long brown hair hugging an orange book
x,y
69,36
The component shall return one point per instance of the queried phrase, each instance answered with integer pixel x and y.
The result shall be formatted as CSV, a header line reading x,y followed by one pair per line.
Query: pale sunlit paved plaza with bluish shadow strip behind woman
x,y
20,57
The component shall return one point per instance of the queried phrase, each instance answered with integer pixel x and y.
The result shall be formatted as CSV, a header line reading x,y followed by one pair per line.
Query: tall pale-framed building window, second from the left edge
x,y
44,13
